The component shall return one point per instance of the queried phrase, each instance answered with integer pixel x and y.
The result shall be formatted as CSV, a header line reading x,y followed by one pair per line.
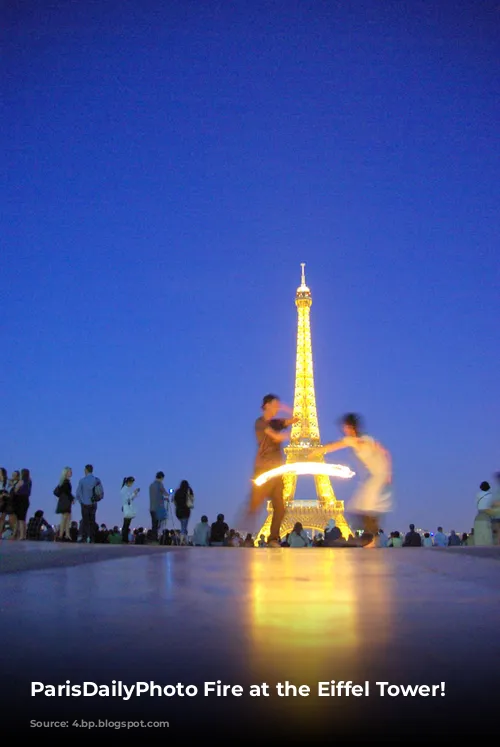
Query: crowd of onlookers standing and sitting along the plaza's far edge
x,y
174,507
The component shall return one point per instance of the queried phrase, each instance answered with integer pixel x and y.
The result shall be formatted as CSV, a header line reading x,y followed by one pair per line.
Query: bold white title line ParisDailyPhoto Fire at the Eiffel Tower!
x,y
217,689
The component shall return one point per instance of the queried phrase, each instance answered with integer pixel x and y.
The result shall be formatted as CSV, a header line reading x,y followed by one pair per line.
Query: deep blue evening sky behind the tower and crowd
x,y
170,164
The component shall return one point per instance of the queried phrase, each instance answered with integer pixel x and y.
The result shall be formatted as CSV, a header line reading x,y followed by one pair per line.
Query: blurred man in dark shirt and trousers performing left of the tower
x,y
269,433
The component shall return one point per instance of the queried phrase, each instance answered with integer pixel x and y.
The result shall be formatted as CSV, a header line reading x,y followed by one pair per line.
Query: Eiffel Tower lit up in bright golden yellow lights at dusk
x,y
312,514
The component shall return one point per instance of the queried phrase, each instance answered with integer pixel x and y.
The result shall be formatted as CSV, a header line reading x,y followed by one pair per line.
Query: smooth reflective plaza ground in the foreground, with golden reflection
x,y
252,616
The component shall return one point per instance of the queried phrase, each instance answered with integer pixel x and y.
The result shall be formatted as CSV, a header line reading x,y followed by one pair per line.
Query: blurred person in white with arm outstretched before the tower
x,y
374,497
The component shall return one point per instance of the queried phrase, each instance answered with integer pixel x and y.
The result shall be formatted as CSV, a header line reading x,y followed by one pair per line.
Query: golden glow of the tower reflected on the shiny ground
x,y
316,615
